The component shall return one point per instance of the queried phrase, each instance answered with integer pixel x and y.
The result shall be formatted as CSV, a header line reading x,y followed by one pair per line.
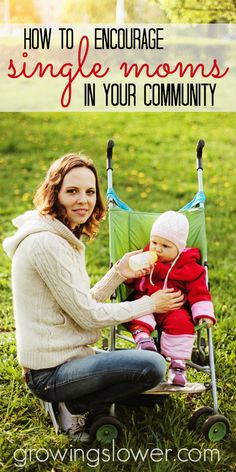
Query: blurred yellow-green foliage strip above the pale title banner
x,y
104,11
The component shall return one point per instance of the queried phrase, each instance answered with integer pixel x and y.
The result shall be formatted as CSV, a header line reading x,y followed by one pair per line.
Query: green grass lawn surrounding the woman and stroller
x,y
154,169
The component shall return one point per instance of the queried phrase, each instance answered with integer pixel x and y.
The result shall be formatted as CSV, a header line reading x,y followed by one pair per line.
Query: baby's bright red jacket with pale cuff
x,y
186,275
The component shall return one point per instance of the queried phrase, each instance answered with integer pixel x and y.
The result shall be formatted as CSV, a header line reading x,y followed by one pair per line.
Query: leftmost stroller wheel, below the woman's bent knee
x,y
106,429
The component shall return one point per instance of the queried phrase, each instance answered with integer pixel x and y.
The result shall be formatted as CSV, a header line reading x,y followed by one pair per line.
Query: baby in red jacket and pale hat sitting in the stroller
x,y
177,267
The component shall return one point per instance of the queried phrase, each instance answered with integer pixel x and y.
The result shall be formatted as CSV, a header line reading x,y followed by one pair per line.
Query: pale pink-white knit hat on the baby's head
x,y
173,226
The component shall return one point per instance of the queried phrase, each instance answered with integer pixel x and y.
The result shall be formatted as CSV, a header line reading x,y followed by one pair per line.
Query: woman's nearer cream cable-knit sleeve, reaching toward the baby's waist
x,y
57,264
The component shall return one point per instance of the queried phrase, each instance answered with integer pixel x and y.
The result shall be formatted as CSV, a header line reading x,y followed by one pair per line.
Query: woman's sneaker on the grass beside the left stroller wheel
x,y
73,425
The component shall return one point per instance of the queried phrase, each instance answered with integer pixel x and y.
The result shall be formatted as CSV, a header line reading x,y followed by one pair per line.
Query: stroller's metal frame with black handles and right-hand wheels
x,y
216,426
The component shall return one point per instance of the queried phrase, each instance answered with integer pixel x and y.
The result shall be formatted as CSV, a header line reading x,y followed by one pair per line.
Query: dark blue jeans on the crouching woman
x,y
98,380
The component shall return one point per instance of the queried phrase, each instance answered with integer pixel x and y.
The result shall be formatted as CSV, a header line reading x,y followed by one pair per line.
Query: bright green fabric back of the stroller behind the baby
x,y
130,230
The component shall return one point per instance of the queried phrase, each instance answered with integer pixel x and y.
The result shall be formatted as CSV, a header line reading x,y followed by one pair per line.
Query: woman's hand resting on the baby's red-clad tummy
x,y
167,300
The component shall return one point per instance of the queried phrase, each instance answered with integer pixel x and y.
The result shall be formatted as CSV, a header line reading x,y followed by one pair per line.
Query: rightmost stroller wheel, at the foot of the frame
x,y
215,428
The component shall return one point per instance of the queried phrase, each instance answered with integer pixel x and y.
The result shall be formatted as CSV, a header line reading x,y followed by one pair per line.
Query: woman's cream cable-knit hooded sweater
x,y
57,315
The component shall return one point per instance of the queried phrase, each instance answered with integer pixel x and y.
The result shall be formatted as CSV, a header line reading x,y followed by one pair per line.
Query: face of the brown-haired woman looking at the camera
x,y
78,195
